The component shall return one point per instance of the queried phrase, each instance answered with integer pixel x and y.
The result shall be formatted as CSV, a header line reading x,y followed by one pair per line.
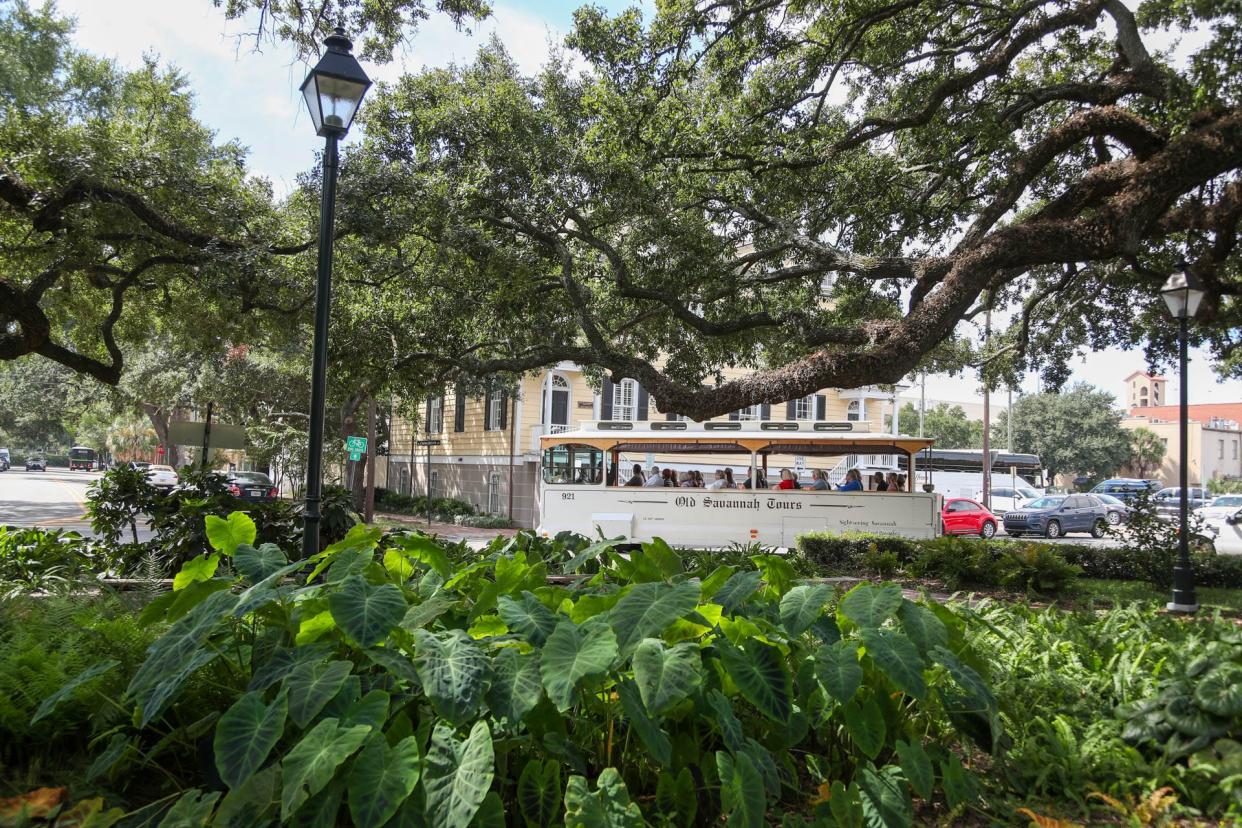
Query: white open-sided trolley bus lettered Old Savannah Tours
x,y
583,485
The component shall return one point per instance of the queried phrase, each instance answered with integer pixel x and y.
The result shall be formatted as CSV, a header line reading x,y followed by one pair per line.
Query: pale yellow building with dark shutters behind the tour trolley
x,y
489,452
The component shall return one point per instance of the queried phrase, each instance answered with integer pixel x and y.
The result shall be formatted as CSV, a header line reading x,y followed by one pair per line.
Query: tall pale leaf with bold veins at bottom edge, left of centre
x,y
459,775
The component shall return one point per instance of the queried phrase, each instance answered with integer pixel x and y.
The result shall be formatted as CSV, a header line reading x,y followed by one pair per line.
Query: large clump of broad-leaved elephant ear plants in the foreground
x,y
409,688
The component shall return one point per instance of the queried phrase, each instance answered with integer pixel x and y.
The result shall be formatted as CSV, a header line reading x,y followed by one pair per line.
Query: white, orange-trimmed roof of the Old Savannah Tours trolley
x,y
768,438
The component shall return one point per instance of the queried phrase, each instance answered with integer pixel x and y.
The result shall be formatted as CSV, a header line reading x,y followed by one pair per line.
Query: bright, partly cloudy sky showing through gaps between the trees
x,y
253,97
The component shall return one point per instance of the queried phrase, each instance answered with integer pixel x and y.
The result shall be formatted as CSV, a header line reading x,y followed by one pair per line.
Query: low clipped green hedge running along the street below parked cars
x,y
967,562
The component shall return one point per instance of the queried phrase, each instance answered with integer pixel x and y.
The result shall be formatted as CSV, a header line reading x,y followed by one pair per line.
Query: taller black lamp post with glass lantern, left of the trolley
x,y
333,92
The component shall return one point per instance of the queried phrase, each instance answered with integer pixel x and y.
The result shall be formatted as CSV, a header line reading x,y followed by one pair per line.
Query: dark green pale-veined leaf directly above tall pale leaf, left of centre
x,y
453,671
